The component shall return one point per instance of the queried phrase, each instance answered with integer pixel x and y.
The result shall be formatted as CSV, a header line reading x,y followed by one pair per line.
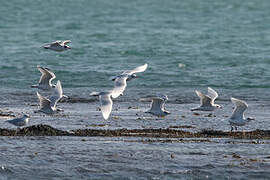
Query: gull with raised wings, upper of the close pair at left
x,y
45,81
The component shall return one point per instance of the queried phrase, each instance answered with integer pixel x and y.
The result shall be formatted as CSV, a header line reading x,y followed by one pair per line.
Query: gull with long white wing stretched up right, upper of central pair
x,y
120,81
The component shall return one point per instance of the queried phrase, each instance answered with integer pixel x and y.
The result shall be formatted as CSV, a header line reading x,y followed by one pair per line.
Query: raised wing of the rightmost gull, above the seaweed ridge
x,y
238,111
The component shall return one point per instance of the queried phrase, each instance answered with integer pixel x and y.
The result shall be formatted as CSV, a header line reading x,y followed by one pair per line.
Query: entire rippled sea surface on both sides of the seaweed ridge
x,y
188,45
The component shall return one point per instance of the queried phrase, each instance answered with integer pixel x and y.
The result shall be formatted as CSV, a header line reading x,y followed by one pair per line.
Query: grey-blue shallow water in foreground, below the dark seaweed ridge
x,y
106,158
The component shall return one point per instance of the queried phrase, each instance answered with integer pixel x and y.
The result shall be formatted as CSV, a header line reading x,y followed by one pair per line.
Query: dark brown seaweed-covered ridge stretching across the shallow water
x,y
45,130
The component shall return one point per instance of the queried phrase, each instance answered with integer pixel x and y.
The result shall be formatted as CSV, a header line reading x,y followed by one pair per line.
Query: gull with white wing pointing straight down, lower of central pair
x,y
105,102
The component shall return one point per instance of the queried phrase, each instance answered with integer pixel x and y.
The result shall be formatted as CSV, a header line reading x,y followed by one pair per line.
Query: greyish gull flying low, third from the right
x,y
157,106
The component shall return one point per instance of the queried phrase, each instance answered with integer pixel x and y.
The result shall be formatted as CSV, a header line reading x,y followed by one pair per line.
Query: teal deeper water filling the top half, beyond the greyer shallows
x,y
220,44
